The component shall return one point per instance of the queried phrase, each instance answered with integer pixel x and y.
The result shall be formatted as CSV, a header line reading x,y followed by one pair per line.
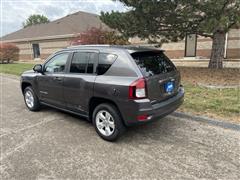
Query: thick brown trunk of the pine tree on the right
x,y
218,49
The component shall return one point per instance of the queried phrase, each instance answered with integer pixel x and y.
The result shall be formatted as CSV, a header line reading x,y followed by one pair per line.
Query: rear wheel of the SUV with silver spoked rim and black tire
x,y
114,125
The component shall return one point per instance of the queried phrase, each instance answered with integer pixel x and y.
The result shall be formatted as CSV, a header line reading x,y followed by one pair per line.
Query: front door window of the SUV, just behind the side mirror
x,y
57,63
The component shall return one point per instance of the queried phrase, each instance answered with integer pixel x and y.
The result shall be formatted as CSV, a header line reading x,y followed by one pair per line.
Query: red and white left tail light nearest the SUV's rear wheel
x,y
137,90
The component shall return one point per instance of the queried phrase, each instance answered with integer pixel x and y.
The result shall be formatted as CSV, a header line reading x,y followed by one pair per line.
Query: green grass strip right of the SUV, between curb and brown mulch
x,y
215,103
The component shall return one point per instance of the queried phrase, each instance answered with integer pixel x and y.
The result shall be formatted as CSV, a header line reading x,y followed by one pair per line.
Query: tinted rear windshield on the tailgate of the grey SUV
x,y
153,63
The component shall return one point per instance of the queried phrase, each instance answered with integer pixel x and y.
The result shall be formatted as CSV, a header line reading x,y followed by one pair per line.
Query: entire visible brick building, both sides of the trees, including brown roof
x,y
39,41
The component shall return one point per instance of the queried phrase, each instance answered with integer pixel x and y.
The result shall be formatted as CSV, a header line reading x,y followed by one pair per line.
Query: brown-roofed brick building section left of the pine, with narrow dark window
x,y
40,41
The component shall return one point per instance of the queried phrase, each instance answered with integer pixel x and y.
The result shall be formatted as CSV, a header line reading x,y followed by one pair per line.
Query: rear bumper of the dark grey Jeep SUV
x,y
154,112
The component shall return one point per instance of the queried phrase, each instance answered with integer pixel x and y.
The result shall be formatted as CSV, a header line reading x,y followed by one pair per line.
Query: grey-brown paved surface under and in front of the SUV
x,y
51,144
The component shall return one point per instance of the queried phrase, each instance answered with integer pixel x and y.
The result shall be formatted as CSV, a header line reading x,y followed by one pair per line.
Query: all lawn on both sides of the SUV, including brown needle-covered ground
x,y
216,103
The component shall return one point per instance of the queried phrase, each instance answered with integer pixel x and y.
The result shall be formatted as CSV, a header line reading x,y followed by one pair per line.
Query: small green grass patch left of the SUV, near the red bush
x,y
16,68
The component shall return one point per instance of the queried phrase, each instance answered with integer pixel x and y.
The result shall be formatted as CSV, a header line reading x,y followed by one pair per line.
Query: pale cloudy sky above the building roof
x,y
14,12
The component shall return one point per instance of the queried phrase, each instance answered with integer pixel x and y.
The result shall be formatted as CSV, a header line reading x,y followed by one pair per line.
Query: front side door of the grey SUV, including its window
x,y
50,83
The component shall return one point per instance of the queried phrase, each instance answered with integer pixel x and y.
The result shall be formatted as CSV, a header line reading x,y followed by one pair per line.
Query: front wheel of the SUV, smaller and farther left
x,y
31,100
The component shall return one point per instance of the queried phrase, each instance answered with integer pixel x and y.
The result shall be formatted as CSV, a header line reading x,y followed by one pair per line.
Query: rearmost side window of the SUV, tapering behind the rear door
x,y
105,62
